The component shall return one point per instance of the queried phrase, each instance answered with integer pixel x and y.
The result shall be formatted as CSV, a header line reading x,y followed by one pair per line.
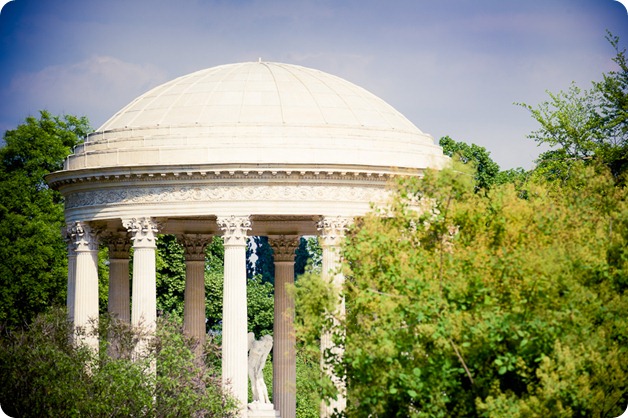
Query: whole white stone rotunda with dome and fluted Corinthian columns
x,y
237,150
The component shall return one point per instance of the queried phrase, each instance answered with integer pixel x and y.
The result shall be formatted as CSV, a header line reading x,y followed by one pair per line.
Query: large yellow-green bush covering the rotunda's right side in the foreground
x,y
485,305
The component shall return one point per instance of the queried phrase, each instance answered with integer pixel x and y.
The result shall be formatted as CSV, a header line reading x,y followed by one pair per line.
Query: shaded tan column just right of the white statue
x,y
284,349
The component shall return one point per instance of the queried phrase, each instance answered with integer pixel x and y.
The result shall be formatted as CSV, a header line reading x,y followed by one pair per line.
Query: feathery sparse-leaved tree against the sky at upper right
x,y
585,125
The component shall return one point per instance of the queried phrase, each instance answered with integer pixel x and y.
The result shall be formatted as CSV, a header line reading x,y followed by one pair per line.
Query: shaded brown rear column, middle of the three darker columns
x,y
194,307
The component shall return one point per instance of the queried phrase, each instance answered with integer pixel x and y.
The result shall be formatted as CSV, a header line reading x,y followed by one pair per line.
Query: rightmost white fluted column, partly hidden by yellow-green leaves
x,y
332,230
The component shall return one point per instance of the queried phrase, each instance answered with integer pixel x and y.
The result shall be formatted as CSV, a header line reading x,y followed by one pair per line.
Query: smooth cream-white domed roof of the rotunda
x,y
258,113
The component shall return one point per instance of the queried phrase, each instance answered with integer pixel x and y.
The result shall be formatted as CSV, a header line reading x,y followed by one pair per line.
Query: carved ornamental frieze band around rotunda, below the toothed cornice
x,y
213,193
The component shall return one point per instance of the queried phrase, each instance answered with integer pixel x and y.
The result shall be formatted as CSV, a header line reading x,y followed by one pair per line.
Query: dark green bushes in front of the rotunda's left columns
x,y
44,375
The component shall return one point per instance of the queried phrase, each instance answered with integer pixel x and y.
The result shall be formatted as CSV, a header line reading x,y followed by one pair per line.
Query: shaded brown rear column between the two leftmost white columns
x,y
119,288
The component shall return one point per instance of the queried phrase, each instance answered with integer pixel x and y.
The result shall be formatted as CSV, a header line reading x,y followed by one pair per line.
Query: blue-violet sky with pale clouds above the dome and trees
x,y
452,67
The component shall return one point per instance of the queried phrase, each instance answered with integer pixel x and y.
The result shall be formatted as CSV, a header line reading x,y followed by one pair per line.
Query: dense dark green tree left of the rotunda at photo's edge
x,y
33,270
